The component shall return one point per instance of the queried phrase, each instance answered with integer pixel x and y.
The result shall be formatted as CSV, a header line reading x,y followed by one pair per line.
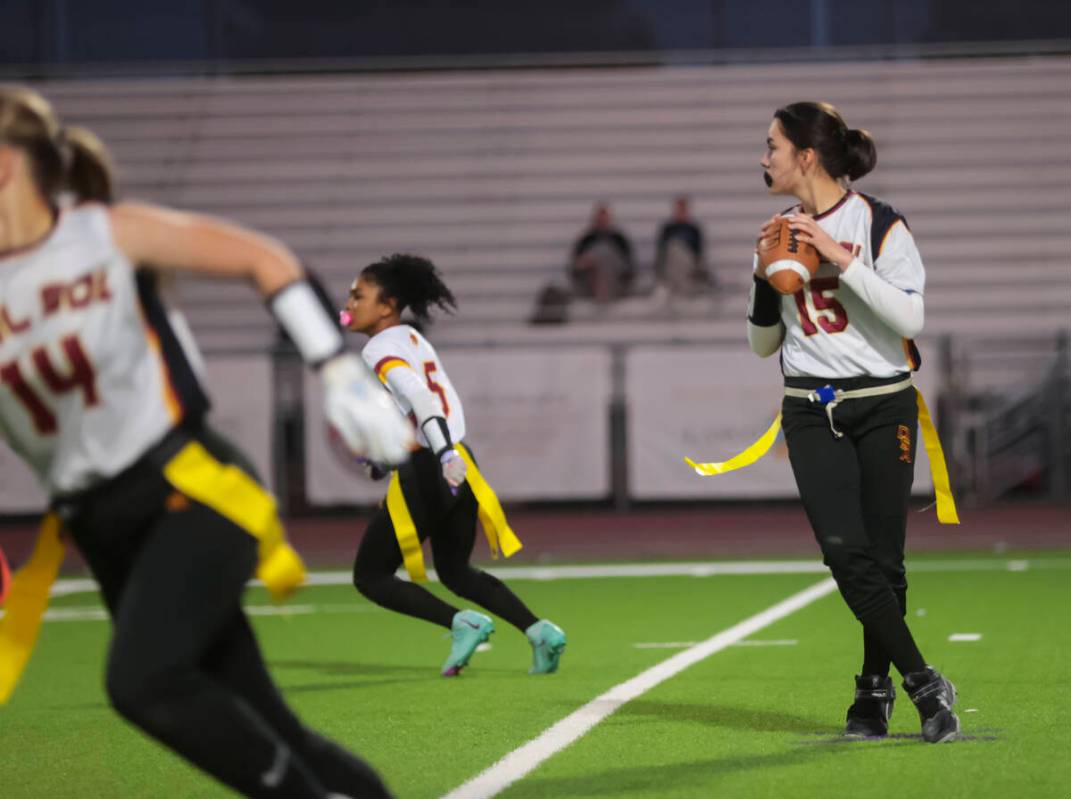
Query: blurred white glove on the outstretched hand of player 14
x,y
364,413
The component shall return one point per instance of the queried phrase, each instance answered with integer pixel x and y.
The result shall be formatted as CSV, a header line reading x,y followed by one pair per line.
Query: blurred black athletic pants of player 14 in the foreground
x,y
184,665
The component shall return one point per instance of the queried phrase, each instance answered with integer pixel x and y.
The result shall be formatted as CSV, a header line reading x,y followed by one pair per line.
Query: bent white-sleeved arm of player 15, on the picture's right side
x,y
894,289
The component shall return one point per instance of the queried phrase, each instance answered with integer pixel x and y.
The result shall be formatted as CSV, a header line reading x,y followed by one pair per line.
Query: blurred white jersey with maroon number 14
x,y
90,374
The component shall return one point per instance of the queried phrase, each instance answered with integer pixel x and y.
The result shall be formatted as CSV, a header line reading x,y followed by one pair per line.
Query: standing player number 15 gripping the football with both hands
x,y
851,415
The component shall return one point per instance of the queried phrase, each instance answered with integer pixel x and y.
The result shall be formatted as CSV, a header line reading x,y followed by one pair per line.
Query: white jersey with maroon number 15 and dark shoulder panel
x,y
829,330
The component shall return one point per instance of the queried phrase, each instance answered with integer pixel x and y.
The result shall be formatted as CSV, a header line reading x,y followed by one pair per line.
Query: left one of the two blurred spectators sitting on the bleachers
x,y
602,266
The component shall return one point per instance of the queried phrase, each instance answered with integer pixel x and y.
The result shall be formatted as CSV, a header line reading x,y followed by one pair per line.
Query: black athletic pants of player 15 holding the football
x,y
856,492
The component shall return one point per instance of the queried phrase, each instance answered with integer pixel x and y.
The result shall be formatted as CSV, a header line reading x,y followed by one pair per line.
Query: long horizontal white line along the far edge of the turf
x,y
67,587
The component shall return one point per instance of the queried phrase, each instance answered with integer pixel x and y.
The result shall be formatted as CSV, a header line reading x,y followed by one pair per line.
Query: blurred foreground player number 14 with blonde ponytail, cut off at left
x,y
97,397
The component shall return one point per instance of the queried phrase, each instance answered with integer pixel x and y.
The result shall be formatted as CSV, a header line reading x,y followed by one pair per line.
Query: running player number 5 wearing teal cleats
x,y
433,484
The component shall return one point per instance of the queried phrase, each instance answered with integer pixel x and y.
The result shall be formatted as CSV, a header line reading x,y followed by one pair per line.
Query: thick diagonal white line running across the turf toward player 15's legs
x,y
523,761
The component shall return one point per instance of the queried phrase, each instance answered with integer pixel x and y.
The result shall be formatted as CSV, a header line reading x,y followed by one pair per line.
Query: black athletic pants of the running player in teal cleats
x,y
450,523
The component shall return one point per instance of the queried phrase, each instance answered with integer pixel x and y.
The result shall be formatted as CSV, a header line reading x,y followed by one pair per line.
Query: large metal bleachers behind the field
x,y
493,175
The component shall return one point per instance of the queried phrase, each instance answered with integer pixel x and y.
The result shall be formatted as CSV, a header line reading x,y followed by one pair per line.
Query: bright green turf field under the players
x,y
749,721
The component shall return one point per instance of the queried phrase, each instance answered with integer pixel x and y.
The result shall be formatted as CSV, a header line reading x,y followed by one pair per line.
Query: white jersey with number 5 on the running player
x,y
403,348
